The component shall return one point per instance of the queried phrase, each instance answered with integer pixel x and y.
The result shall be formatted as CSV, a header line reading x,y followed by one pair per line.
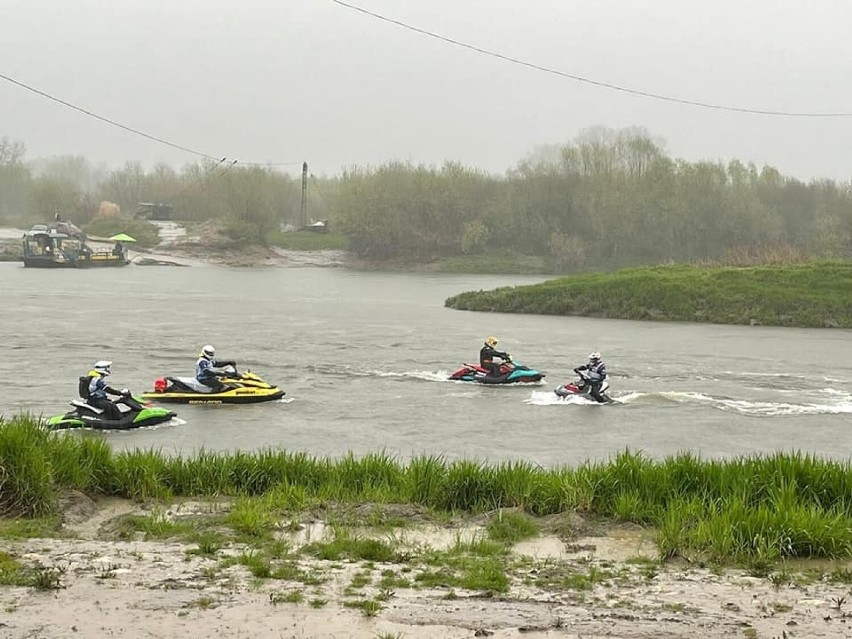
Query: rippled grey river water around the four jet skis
x,y
364,358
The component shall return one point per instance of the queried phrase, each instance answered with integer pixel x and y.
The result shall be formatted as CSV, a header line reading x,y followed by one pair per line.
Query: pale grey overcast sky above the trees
x,y
286,81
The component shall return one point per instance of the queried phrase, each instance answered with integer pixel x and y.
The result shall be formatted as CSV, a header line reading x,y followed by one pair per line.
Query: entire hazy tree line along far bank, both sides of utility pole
x,y
607,198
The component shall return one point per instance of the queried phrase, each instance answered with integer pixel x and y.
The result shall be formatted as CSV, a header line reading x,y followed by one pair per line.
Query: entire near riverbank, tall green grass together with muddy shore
x,y
248,544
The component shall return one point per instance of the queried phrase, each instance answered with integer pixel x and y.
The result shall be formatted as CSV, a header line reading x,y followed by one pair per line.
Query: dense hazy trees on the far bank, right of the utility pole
x,y
608,198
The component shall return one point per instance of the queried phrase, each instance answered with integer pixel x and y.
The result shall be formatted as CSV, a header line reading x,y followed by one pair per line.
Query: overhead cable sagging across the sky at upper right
x,y
579,78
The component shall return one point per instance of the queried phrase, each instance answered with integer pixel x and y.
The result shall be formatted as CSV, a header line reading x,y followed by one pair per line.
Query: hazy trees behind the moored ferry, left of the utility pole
x,y
249,201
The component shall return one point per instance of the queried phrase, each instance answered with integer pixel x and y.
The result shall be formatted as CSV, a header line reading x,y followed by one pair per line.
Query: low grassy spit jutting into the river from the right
x,y
808,295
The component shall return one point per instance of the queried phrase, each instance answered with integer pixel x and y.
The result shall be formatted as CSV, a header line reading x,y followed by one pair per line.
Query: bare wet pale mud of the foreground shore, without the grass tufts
x,y
142,588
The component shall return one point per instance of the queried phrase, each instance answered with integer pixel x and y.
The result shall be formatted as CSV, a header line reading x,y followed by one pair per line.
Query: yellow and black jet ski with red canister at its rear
x,y
238,388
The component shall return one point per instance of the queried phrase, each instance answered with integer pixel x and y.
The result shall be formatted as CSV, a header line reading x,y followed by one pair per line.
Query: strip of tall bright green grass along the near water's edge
x,y
743,510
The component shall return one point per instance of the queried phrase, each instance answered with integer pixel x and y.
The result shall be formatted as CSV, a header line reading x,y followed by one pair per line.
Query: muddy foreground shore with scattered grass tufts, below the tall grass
x,y
123,569
